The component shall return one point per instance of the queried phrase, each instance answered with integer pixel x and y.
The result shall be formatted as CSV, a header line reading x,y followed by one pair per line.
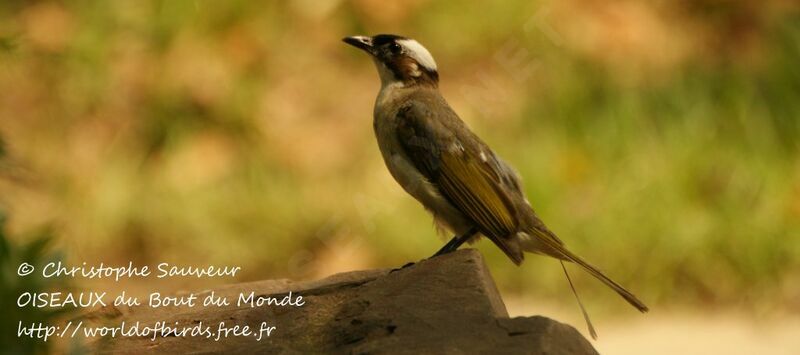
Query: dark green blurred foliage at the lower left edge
x,y
34,251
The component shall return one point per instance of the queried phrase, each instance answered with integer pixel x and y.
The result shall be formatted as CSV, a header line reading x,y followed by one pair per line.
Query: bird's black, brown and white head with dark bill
x,y
398,59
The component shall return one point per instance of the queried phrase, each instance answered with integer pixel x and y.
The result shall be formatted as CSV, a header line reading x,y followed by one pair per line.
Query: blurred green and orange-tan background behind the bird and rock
x,y
659,139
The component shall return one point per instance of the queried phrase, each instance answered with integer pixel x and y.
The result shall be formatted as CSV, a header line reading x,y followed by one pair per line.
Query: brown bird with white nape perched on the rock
x,y
455,175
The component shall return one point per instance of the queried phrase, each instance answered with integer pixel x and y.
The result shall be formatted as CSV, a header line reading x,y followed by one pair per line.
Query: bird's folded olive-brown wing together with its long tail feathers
x,y
481,185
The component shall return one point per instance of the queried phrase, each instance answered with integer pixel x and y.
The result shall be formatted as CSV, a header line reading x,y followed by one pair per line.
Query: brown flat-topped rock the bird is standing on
x,y
446,305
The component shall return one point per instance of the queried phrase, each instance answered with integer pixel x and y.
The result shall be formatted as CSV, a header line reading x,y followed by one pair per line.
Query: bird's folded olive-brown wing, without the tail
x,y
463,168
